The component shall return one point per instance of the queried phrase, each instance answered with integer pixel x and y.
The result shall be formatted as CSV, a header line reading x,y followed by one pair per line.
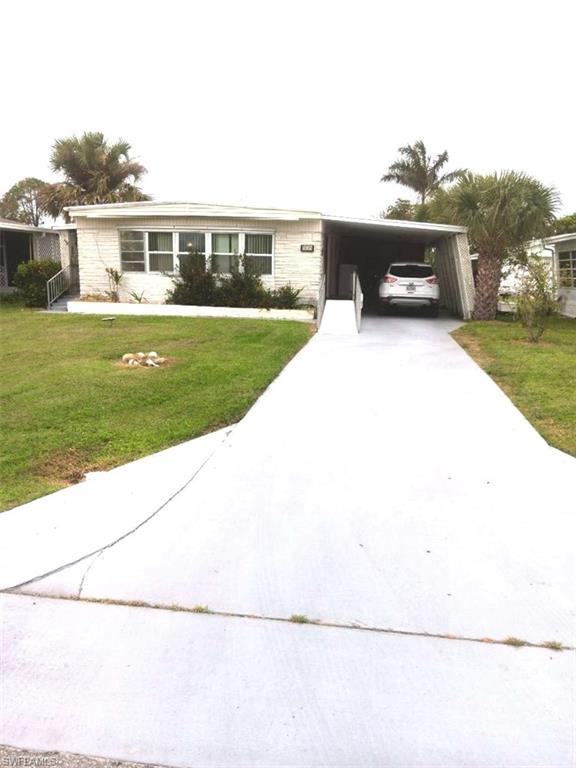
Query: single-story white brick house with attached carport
x,y
146,241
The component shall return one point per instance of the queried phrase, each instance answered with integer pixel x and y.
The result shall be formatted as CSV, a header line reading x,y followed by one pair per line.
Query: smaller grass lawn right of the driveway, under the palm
x,y
539,378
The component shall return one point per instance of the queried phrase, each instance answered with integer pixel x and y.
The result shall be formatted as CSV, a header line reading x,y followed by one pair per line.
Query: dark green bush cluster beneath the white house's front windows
x,y
195,285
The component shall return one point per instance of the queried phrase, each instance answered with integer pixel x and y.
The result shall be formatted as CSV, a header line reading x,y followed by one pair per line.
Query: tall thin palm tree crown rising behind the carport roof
x,y
417,170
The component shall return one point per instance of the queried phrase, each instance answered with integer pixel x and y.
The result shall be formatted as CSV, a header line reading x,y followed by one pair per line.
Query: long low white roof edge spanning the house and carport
x,y
215,210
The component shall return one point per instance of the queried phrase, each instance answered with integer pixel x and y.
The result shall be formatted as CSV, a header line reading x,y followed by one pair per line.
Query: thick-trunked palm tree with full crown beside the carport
x,y
502,211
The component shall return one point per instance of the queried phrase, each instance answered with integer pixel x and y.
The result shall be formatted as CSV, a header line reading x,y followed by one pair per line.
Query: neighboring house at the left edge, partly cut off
x,y
23,242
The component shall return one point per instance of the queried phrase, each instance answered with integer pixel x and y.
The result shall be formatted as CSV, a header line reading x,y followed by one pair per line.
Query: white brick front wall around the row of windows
x,y
99,247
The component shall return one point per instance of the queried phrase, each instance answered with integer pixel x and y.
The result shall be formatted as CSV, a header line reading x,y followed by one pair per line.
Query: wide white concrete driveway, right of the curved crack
x,y
384,485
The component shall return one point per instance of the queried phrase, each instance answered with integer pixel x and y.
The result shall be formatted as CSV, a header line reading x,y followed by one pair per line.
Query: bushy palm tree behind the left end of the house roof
x,y
94,172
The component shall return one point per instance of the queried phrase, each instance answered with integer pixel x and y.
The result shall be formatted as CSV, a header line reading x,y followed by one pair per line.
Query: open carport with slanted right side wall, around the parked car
x,y
368,246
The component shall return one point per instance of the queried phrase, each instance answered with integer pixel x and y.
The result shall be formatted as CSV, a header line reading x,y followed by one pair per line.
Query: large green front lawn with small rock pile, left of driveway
x,y
67,406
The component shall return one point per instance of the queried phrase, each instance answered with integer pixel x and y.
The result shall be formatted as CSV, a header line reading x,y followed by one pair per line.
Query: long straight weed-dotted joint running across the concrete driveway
x,y
175,608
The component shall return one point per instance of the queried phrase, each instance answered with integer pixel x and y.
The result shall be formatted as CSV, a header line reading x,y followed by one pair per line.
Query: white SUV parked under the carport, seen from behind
x,y
409,284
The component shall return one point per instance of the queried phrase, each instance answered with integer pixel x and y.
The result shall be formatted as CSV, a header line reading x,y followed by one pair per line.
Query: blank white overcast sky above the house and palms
x,y
289,103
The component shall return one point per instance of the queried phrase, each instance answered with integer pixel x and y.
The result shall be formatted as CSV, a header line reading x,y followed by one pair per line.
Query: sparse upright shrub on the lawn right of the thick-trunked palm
x,y
535,301
